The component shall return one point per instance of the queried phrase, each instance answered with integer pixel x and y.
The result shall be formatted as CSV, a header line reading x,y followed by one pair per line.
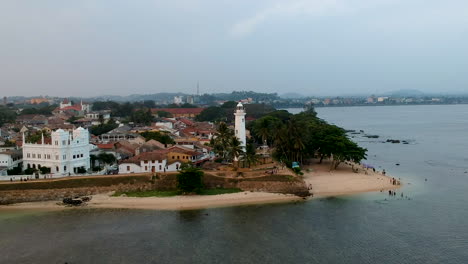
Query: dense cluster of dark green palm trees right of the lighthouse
x,y
303,136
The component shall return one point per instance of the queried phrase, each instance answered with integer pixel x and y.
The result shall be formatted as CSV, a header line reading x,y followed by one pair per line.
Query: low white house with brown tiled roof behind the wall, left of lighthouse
x,y
148,162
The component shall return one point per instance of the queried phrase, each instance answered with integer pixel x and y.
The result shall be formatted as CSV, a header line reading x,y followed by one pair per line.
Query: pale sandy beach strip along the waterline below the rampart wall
x,y
325,183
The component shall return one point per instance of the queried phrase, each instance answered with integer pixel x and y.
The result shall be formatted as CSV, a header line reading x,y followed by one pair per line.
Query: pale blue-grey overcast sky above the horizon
x,y
314,47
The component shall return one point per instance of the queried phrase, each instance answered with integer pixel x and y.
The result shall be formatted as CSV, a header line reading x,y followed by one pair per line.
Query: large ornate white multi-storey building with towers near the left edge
x,y
65,153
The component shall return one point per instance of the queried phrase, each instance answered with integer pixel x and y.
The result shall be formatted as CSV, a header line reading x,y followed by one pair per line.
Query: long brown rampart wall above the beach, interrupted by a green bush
x,y
58,190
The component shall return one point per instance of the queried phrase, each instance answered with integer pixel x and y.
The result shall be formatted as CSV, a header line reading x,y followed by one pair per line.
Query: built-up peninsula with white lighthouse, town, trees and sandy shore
x,y
179,160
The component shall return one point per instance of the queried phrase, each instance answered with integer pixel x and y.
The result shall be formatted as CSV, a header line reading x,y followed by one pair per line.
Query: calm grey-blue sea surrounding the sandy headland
x,y
429,224
